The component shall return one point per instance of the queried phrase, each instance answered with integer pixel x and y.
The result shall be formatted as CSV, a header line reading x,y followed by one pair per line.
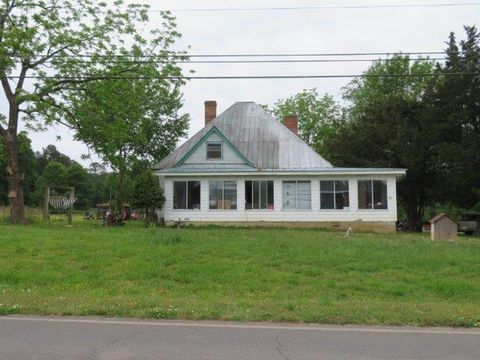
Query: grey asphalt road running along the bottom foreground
x,y
69,338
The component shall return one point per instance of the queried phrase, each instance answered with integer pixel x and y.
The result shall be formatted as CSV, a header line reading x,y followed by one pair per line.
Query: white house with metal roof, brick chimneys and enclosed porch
x,y
245,167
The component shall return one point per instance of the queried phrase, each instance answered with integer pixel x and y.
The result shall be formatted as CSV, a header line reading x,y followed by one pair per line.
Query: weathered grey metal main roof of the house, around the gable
x,y
262,139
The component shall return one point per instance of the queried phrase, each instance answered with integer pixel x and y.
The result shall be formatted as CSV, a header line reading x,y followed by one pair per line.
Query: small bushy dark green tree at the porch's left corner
x,y
147,194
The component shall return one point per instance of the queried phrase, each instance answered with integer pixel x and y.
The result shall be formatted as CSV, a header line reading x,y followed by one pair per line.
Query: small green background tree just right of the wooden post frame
x,y
79,178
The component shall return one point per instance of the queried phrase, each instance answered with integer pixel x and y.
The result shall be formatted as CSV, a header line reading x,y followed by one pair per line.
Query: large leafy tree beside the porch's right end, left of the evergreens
x,y
388,127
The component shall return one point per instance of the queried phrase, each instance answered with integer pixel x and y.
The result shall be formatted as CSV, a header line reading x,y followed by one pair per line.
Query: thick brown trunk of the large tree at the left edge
x,y
14,173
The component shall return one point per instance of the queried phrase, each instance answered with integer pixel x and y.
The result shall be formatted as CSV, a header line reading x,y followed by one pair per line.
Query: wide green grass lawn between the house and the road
x,y
239,274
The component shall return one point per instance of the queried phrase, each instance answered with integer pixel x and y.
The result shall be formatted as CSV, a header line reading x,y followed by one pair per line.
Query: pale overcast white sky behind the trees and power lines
x,y
300,31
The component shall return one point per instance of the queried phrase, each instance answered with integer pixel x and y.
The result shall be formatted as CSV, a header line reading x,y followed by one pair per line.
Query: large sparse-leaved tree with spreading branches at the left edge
x,y
46,40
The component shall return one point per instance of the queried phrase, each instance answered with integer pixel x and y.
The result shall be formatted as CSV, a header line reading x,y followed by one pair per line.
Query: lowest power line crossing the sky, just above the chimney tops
x,y
243,77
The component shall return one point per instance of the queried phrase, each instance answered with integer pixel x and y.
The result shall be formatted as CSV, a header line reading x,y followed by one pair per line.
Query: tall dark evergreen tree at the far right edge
x,y
455,104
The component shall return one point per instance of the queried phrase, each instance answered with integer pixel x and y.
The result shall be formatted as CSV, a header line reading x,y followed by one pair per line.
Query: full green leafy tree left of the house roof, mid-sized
x,y
132,119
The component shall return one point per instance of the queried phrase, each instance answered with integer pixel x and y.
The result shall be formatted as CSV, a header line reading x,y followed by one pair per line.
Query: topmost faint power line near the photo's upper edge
x,y
333,7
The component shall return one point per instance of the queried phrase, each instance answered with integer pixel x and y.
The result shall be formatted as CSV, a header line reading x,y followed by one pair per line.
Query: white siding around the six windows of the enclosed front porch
x,y
278,214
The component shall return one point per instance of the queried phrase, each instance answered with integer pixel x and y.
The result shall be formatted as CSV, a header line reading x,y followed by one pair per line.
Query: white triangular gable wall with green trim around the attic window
x,y
197,156
